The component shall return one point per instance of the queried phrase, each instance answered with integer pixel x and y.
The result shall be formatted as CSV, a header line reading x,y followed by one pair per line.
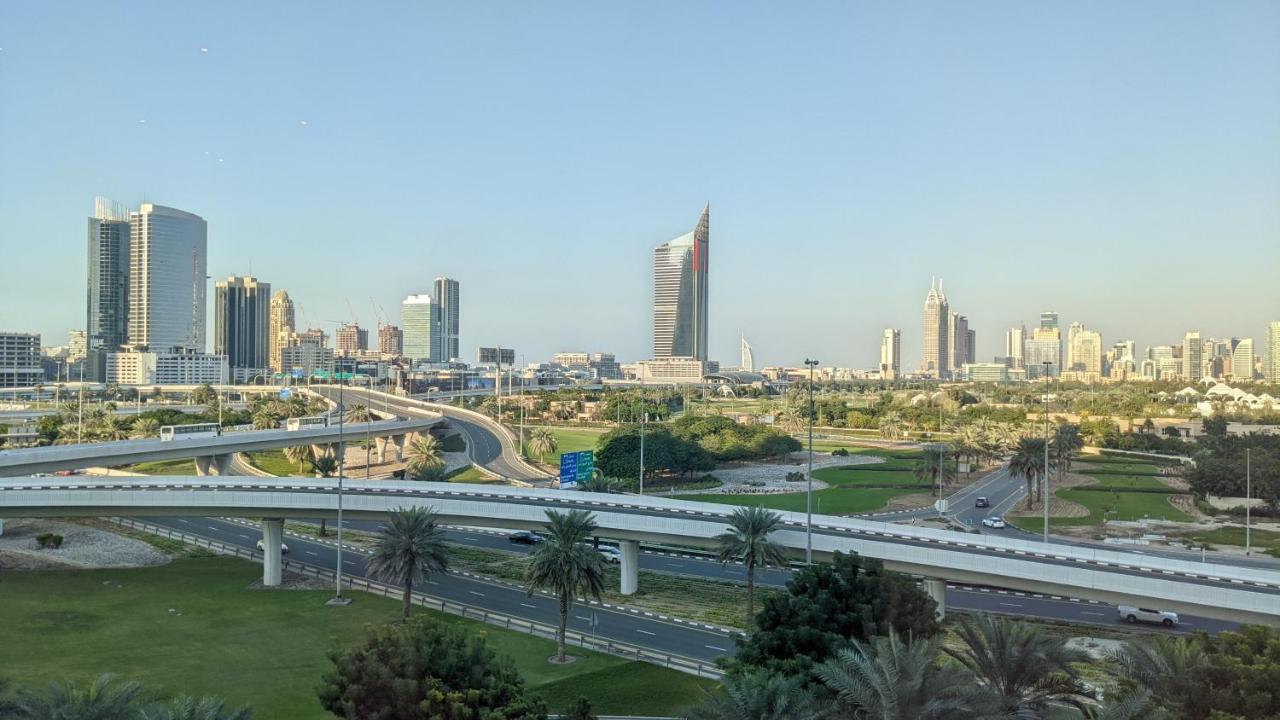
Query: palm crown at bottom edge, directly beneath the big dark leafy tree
x,y
889,680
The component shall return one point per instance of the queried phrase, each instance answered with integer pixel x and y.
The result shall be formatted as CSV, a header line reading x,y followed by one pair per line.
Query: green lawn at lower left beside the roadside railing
x,y
194,627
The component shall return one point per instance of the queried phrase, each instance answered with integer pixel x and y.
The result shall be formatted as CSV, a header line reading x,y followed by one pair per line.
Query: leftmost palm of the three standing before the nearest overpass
x,y
410,550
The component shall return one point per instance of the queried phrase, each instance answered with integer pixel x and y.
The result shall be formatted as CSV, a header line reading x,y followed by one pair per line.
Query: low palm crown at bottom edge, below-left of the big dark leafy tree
x,y
758,696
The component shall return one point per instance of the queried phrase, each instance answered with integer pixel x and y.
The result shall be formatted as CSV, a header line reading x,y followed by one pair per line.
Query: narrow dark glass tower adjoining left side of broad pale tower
x,y
108,308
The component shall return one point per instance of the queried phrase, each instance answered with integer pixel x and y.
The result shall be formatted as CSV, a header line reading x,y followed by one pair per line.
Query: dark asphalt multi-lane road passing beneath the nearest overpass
x,y
627,626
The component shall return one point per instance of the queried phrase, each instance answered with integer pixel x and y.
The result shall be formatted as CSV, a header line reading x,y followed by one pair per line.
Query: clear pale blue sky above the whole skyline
x,y
1116,162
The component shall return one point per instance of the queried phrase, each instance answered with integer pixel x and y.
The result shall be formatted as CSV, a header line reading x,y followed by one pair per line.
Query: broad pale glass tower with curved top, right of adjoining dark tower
x,y
167,280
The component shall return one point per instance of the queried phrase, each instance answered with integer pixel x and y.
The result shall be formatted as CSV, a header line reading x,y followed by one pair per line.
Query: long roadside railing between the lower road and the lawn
x,y
588,641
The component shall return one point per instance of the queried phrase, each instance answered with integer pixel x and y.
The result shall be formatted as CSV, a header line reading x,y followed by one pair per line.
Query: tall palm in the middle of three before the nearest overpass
x,y
566,564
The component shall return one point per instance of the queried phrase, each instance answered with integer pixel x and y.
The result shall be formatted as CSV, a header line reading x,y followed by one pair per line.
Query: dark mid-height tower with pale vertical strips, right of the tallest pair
x,y
243,325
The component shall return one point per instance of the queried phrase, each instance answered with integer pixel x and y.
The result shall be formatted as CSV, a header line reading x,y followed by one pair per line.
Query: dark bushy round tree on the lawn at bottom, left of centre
x,y
426,671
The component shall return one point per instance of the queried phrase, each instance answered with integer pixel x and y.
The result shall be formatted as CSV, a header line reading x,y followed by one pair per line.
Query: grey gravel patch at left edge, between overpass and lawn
x,y
84,548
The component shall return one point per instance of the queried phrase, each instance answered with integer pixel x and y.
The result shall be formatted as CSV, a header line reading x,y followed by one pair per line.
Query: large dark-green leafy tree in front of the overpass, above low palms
x,y
826,607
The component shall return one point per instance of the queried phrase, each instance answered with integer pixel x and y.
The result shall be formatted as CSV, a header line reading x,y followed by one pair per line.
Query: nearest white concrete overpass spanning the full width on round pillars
x,y
1209,590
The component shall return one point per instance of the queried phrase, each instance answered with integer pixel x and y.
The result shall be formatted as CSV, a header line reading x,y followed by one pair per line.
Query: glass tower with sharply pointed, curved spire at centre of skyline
x,y
680,270
